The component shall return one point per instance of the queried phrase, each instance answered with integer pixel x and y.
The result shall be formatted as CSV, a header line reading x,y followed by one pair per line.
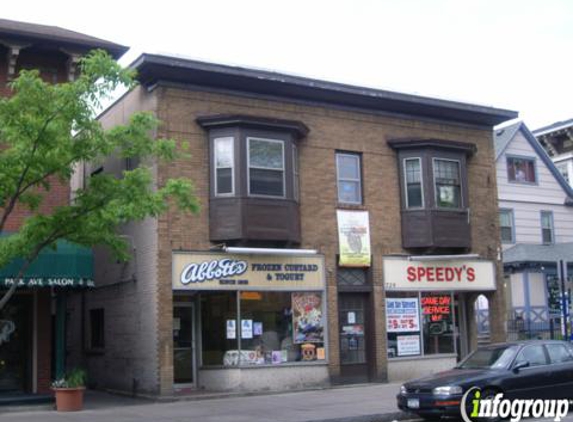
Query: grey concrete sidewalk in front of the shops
x,y
362,403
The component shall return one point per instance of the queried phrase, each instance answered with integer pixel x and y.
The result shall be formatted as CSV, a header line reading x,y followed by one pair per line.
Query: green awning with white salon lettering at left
x,y
68,265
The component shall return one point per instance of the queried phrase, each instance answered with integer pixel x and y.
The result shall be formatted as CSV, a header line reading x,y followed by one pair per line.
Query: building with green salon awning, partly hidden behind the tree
x,y
29,322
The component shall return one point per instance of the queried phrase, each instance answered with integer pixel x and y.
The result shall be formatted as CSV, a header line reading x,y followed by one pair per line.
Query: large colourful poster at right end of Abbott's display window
x,y
307,318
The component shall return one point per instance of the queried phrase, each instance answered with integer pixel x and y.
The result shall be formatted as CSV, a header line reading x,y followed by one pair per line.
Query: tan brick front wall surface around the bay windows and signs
x,y
330,130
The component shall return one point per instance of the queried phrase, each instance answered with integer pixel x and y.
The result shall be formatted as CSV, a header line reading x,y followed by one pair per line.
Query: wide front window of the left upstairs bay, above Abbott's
x,y
266,167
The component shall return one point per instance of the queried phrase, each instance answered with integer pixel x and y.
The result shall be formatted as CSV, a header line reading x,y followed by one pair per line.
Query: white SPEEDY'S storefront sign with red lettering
x,y
403,274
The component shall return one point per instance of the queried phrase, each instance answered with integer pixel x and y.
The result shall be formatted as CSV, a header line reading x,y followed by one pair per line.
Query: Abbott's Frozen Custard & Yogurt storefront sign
x,y
221,271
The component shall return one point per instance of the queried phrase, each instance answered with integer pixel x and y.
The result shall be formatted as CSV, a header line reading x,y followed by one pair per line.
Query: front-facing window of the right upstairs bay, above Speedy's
x,y
447,181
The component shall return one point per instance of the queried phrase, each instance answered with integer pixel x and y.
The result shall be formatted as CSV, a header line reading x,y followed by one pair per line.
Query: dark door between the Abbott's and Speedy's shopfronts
x,y
353,337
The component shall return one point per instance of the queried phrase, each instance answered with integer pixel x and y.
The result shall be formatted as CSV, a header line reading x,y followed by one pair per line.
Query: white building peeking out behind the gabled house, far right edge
x,y
557,139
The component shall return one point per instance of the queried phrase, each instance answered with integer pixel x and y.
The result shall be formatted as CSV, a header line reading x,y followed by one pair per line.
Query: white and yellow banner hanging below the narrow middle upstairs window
x,y
353,238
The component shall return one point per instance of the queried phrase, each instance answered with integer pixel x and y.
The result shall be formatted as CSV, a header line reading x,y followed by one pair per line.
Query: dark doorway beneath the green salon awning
x,y
16,332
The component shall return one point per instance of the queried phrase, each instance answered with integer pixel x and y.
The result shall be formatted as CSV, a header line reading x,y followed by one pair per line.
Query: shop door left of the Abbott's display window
x,y
184,344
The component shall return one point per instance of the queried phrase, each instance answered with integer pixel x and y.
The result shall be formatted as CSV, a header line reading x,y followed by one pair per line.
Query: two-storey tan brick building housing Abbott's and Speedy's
x,y
344,234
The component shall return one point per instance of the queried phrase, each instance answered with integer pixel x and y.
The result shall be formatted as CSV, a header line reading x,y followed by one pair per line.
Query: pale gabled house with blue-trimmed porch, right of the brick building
x,y
536,225
